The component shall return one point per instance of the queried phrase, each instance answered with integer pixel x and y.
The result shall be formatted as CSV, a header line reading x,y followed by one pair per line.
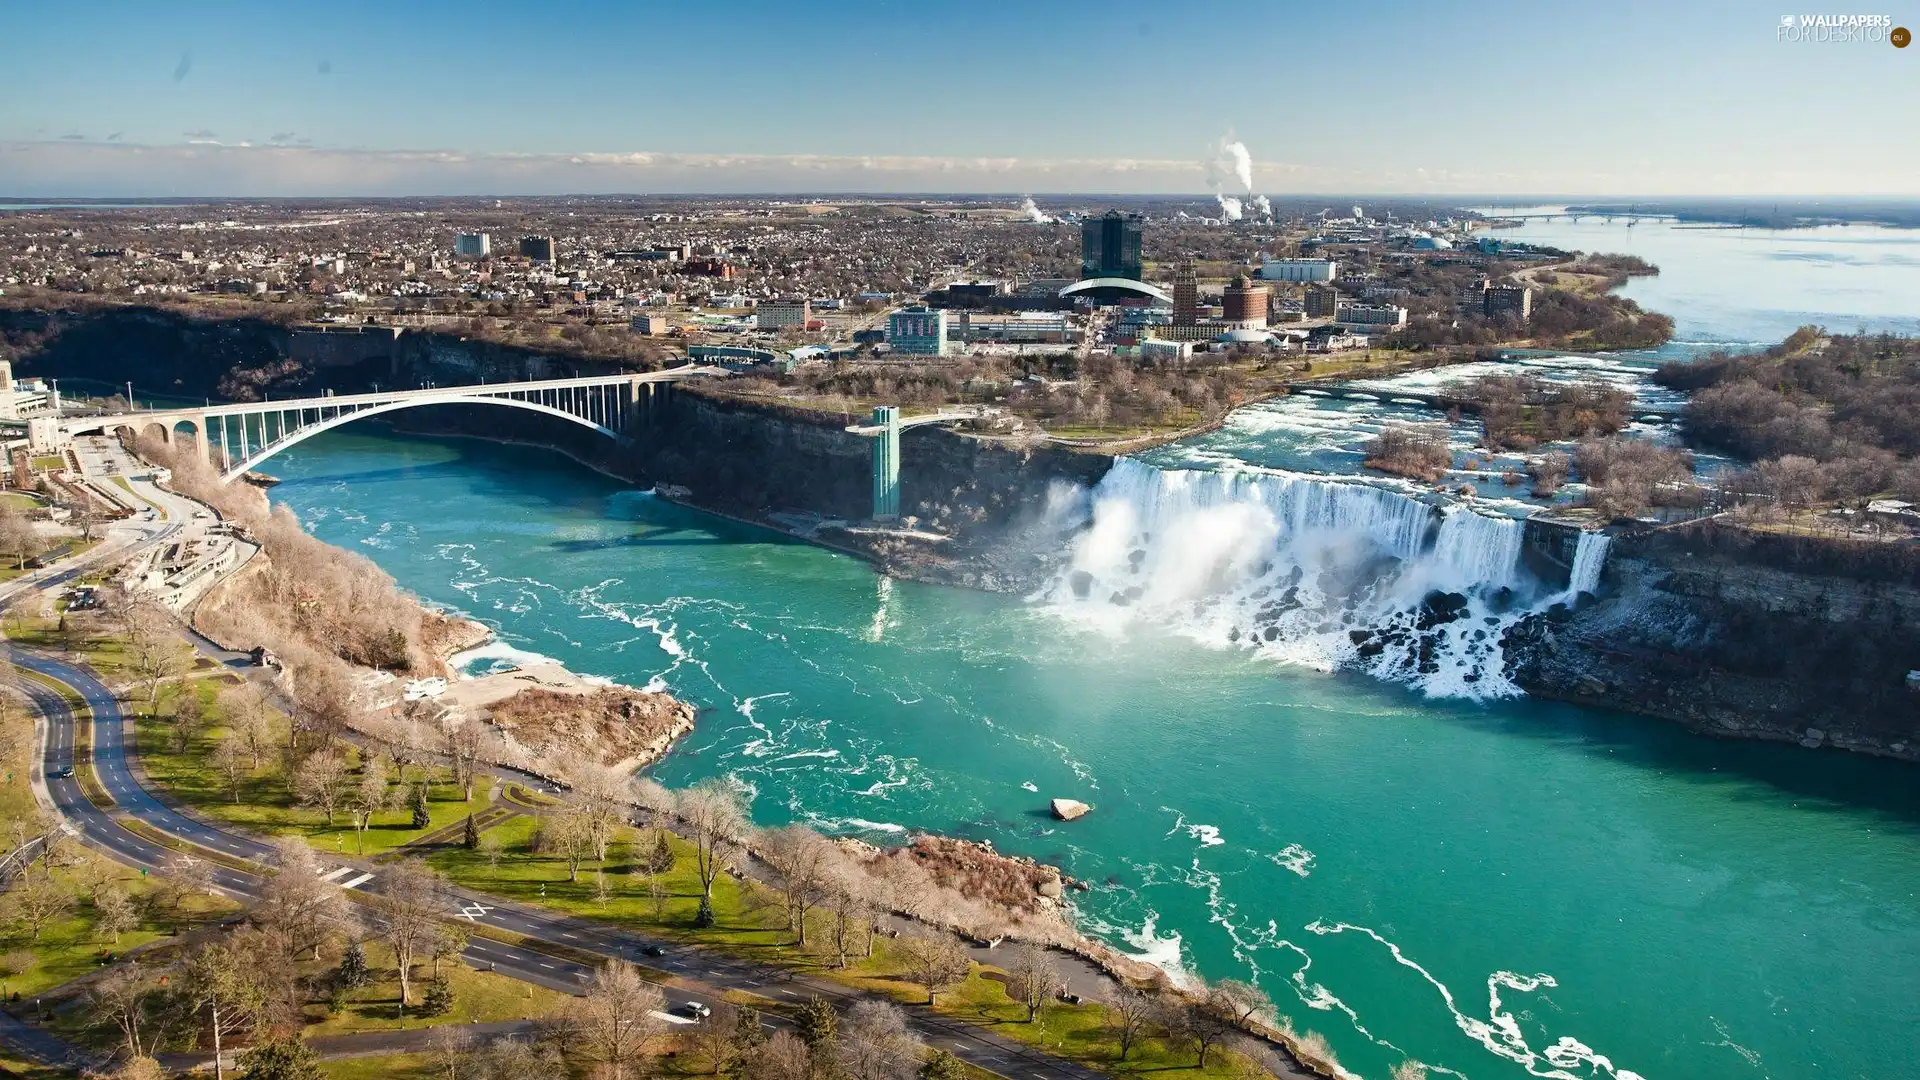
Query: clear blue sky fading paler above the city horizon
x,y
1416,97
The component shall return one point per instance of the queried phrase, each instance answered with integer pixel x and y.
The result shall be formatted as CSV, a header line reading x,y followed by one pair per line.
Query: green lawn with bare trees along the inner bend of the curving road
x,y
266,806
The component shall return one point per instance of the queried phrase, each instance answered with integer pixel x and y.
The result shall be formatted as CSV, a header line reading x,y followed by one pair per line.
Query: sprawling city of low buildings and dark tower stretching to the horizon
x,y
763,278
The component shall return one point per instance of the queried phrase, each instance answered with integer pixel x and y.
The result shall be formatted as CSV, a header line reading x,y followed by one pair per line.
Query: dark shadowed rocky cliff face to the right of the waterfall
x,y
1746,645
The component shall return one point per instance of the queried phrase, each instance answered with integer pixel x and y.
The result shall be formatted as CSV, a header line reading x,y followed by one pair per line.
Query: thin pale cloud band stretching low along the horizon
x,y
208,168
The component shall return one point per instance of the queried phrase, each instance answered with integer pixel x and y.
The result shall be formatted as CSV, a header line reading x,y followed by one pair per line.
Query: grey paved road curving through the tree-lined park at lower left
x,y
702,975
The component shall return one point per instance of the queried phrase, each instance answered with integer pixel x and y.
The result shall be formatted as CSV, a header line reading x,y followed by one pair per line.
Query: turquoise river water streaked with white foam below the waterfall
x,y
1489,885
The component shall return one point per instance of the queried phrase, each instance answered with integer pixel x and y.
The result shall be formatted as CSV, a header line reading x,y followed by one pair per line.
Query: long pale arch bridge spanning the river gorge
x,y
252,433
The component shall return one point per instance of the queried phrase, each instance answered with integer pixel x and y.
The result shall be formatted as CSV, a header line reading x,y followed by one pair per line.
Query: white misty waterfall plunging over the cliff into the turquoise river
x,y
1314,572
